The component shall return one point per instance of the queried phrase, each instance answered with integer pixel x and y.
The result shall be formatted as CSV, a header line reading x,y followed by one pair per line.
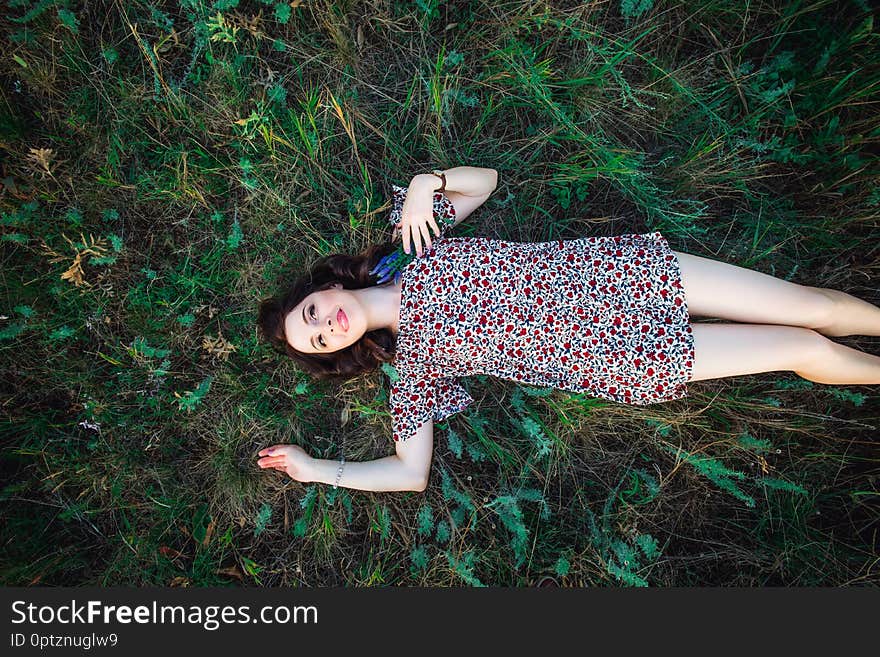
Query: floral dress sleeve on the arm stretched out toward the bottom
x,y
414,399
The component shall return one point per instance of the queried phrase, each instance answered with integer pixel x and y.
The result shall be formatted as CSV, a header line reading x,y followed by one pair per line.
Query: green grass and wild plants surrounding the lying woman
x,y
166,167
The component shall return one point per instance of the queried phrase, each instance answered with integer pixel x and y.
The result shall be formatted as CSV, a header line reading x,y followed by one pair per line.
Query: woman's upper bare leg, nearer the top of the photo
x,y
718,289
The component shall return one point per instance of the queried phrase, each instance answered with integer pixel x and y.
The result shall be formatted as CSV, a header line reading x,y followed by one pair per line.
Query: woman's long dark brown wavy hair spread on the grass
x,y
352,271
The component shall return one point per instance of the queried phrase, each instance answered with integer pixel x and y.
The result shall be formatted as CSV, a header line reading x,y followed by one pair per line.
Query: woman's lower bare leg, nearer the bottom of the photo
x,y
722,350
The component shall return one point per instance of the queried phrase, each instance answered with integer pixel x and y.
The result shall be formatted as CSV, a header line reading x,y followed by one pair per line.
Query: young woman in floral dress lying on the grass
x,y
609,316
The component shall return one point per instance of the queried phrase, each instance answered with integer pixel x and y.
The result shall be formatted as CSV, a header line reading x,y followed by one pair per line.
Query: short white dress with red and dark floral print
x,y
605,316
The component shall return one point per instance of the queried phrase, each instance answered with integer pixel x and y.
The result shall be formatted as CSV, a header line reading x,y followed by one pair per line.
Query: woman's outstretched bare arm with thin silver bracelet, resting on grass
x,y
406,470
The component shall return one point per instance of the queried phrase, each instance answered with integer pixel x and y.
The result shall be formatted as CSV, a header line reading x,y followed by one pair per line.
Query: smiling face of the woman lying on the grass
x,y
325,321
